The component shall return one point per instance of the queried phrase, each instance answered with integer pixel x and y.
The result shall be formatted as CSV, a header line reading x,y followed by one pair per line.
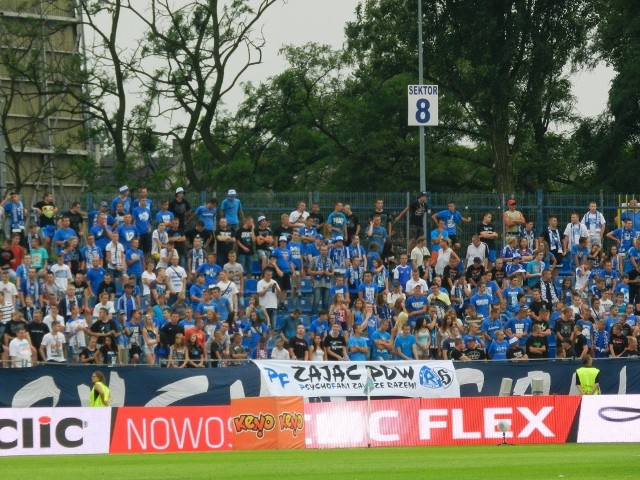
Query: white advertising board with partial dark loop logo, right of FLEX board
x,y
609,418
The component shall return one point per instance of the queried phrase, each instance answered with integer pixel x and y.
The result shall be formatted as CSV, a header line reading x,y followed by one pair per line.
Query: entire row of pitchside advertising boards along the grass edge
x,y
276,423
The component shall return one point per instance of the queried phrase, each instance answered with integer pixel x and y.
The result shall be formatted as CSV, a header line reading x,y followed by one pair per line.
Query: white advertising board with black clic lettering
x,y
47,431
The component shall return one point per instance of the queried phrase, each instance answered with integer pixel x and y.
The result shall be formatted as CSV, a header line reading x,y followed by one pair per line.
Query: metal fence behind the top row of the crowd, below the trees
x,y
538,206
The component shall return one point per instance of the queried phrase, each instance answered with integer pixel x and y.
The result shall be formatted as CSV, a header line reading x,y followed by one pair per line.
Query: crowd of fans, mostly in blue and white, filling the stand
x,y
170,285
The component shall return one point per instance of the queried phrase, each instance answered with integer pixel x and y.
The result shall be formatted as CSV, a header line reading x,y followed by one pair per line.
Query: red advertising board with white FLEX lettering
x,y
451,421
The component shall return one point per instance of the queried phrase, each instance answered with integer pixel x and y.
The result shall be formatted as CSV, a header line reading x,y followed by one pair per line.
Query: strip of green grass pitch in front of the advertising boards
x,y
570,461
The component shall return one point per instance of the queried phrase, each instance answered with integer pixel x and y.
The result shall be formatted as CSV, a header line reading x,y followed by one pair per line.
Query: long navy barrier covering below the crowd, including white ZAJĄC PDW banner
x,y
51,385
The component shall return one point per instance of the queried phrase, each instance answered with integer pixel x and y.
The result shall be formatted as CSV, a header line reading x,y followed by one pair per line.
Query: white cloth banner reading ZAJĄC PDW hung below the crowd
x,y
422,379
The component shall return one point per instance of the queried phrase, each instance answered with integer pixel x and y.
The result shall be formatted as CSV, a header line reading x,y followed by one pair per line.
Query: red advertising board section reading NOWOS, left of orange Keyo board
x,y
172,429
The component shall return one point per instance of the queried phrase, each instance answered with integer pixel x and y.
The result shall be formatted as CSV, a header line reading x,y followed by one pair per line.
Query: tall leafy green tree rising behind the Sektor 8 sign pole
x,y
505,65
